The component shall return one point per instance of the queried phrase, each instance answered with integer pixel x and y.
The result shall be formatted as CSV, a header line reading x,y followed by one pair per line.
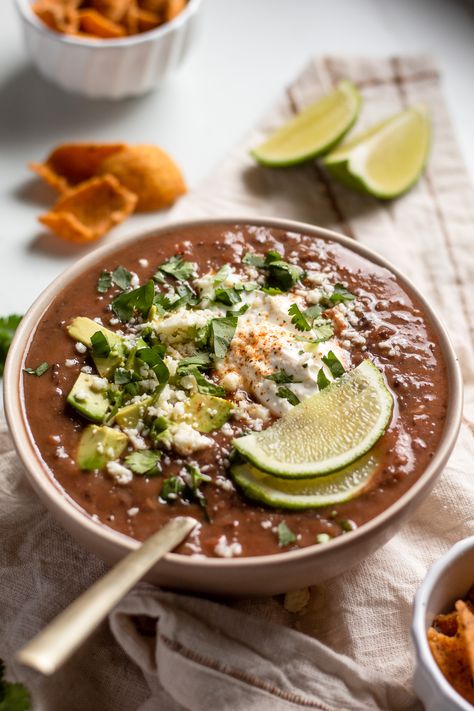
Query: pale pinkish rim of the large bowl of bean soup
x,y
42,479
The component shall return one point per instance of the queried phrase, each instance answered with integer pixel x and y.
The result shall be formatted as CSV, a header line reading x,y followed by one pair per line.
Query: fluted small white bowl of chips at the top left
x,y
109,68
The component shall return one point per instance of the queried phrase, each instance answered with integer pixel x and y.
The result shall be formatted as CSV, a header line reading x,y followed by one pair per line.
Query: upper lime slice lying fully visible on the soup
x,y
327,431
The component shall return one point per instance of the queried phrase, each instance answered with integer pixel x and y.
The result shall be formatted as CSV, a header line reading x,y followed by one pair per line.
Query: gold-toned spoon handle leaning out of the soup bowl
x,y
59,640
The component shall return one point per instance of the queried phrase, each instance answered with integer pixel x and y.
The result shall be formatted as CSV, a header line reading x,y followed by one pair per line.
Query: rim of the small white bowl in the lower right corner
x,y
418,627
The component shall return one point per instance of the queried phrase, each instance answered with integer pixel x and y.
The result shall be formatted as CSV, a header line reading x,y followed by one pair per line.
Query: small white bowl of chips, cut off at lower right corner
x,y
447,581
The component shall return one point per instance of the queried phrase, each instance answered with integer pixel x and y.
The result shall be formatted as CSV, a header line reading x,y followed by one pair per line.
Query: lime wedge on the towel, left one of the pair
x,y
314,131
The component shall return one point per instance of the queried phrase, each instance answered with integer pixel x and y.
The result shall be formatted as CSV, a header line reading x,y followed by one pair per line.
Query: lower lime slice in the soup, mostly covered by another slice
x,y
305,493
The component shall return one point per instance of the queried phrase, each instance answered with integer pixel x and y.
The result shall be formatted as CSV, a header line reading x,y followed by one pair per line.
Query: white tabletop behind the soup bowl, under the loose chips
x,y
247,52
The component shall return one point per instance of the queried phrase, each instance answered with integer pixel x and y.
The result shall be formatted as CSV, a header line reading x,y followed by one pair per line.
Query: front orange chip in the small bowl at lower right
x,y
451,657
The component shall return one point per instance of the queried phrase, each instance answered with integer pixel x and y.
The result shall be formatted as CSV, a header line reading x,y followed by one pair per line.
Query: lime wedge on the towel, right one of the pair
x,y
388,159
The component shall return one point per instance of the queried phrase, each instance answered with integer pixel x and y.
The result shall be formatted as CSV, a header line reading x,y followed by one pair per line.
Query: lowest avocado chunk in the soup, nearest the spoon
x,y
99,445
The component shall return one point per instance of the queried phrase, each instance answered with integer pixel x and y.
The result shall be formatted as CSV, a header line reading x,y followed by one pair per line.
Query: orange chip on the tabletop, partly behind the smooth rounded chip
x,y
73,163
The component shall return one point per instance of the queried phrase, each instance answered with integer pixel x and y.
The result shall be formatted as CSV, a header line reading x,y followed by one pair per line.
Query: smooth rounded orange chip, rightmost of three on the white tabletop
x,y
149,173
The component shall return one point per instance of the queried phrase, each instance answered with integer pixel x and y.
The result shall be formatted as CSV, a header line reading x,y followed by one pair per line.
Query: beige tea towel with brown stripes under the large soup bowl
x,y
355,652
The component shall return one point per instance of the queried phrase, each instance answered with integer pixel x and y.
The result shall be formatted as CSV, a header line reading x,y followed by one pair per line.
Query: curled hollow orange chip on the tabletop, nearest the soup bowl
x,y
90,210
